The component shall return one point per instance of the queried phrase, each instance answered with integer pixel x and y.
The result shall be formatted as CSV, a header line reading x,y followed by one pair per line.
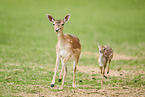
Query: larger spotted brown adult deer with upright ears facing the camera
x,y
68,48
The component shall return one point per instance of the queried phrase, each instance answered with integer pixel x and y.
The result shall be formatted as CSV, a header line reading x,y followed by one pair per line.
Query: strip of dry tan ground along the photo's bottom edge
x,y
106,91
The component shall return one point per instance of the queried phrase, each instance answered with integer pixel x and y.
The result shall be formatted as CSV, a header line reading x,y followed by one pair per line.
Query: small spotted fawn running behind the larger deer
x,y
105,56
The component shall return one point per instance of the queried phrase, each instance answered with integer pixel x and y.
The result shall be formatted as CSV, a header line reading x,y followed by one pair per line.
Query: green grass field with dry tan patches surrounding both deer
x,y
27,47
